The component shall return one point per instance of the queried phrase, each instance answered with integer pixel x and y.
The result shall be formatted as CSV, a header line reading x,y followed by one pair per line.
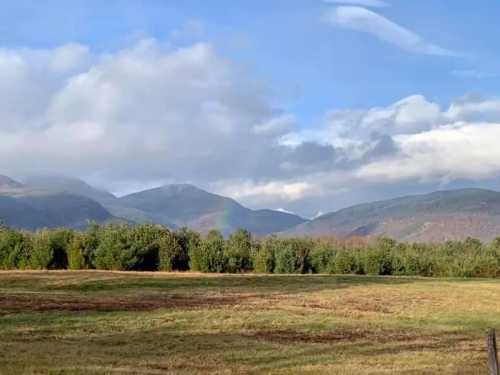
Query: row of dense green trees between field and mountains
x,y
150,247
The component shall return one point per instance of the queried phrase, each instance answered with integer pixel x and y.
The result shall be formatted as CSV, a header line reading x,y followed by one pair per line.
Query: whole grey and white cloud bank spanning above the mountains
x,y
152,114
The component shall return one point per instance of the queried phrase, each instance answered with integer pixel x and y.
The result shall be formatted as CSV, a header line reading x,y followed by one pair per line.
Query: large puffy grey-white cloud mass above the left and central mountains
x,y
146,113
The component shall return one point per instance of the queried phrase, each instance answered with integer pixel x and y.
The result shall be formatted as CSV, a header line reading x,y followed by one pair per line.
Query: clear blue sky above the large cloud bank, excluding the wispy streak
x,y
313,65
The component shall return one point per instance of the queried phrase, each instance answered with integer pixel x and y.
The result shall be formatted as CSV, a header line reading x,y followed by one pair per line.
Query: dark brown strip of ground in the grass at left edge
x,y
37,302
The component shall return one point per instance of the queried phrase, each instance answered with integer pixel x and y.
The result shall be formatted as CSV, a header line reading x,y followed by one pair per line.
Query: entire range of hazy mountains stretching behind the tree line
x,y
435,217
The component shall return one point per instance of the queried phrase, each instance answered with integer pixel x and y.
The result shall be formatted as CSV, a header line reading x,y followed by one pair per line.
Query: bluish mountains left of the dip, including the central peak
x,y
57,201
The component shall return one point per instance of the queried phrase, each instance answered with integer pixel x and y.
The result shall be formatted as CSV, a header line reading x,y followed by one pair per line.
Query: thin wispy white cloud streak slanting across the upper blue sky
x,y
367,21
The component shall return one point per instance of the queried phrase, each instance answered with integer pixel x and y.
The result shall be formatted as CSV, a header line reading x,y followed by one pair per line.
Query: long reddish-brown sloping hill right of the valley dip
x,y
435,217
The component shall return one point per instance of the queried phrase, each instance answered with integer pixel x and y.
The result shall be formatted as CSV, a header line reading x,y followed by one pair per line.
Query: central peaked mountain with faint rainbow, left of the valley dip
x,y
187,205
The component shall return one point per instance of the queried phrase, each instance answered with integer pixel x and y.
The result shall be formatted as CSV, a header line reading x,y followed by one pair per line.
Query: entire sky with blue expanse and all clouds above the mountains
x,y
306,105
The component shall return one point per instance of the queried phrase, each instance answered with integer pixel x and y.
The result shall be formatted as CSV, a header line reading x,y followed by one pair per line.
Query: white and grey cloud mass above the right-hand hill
x,y
411,140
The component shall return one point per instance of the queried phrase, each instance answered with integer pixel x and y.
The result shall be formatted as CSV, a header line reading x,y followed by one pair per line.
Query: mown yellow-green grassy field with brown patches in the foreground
x,y
103,322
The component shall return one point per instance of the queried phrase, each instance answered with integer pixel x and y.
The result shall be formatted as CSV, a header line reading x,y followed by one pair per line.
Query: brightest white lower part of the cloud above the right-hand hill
x,y
449,152
